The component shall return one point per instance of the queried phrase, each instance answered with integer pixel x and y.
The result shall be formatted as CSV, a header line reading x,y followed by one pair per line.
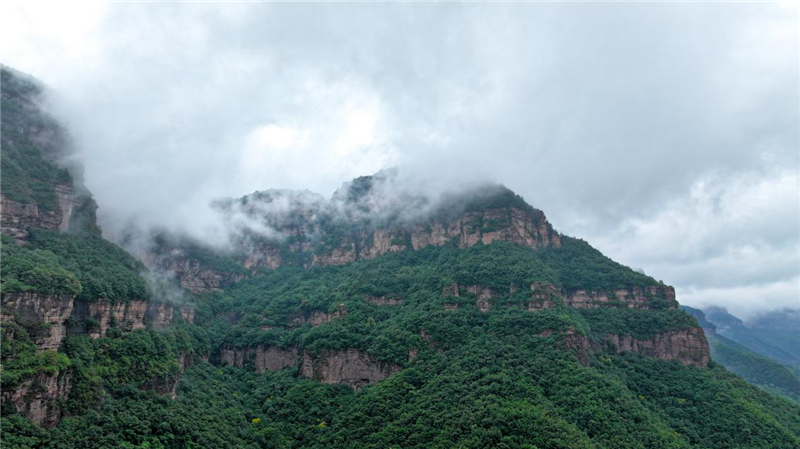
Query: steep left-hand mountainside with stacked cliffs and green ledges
x,y
60,279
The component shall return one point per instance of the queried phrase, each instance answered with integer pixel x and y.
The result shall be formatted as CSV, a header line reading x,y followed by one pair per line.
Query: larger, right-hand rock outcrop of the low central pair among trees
x,y
351,367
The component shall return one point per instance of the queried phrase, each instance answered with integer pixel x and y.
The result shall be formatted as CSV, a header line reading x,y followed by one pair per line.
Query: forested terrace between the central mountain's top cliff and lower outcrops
x,y
270,308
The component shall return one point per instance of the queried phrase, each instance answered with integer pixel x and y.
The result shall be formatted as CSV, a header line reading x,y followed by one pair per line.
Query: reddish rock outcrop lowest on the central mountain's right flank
x,y
688,346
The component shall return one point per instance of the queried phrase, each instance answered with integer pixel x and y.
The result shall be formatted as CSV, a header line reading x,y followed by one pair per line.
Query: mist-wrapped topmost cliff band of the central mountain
x,y
279,227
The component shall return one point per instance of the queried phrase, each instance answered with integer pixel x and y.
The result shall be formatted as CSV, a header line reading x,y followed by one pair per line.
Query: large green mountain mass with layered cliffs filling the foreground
x,y
385,316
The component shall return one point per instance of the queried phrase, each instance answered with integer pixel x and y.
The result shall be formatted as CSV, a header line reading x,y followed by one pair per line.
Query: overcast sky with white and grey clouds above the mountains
x,y
664,134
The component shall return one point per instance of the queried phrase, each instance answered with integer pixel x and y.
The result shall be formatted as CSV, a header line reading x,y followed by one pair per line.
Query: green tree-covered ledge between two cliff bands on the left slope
x,y
103,269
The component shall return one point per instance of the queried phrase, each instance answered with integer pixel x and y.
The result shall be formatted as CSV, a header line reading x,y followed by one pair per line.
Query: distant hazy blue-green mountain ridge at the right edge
x,y
755,367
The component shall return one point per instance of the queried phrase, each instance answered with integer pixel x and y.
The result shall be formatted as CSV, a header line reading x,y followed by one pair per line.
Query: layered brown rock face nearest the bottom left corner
x,y
37,398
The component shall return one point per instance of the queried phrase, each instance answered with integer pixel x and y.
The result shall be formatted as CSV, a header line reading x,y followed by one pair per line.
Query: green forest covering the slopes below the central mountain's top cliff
x,y
509,378
